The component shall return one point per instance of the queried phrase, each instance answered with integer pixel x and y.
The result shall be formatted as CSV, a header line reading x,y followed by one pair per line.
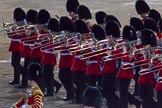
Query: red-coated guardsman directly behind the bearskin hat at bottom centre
x,y
93,71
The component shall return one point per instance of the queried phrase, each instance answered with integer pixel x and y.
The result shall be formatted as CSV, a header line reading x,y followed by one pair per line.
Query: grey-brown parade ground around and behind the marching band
x,y
122,9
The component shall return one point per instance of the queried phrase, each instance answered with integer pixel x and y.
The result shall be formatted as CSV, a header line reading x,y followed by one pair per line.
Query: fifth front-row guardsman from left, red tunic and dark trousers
x,y
66,60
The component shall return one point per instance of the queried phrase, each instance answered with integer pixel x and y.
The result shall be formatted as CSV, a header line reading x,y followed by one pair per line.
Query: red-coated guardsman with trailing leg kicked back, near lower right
x,y
126,71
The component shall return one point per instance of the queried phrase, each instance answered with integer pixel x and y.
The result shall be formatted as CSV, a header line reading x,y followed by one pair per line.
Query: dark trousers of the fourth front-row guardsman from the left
x,y
49,78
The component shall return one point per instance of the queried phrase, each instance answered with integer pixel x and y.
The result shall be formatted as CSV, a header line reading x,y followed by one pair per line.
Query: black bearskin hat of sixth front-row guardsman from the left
x,y
81,26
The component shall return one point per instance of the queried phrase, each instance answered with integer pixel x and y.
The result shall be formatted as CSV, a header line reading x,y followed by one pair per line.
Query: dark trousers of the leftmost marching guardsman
x,y
18,68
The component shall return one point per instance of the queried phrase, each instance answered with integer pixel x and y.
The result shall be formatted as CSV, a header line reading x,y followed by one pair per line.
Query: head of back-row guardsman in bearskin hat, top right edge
x,y
142,9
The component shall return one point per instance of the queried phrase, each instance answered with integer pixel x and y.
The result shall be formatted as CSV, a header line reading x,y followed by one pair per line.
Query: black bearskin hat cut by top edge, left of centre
x,y
72,5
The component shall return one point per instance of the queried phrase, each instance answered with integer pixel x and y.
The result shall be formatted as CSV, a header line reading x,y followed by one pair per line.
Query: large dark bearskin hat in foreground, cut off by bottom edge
x,y
92,97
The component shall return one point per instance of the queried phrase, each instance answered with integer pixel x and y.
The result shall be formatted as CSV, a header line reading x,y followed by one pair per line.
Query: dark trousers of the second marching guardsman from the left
x,y
25,74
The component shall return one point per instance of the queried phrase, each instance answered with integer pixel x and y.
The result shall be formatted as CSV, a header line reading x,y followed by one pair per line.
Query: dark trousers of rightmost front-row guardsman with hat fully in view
x,y
147,91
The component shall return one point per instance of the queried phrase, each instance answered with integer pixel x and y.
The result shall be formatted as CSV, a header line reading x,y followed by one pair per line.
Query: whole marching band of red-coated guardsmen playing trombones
x,y
90,54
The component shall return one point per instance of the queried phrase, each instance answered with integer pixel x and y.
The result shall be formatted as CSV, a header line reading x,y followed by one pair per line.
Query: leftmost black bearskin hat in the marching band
x,y
19,14
